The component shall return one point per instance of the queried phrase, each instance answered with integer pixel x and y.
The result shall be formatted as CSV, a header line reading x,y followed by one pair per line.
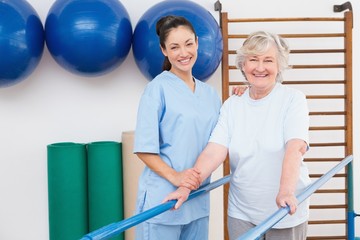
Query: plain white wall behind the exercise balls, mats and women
x,y
53,105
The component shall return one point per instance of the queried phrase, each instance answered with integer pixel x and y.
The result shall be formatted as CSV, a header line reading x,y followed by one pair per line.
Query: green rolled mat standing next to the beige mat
x,y
105,184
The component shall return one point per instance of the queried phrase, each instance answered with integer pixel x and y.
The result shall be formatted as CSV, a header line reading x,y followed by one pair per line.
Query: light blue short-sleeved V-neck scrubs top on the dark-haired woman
x,y
175,123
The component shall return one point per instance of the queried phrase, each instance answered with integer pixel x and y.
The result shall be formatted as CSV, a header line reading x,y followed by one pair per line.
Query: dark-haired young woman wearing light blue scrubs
x,y
176,115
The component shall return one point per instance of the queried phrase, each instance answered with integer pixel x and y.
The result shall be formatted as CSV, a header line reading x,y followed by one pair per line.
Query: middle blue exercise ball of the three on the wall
x,y
88,37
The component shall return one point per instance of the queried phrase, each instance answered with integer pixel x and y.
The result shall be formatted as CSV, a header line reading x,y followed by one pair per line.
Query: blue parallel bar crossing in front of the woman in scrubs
x,y
114,229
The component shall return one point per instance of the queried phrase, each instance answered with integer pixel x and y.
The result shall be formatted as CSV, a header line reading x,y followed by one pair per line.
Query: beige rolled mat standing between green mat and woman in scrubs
x,y
132,168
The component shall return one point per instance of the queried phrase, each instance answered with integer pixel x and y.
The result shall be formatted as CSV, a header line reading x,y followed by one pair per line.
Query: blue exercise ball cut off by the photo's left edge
x,y
21,41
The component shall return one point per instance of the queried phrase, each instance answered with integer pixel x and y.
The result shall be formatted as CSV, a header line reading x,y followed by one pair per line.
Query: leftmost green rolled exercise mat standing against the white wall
x,y
67,191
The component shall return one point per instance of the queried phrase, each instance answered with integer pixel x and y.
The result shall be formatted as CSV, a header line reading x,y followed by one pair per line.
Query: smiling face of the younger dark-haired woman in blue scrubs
x,y
181,48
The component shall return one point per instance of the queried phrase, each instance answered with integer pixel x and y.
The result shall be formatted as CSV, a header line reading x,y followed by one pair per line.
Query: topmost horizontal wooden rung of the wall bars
x,y
315,19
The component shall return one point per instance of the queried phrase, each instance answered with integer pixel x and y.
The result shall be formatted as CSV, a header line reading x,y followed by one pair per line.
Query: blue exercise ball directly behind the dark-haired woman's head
x,y
146,46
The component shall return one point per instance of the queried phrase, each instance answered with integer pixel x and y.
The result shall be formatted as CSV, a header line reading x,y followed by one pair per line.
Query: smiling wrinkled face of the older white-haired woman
x,y
261,70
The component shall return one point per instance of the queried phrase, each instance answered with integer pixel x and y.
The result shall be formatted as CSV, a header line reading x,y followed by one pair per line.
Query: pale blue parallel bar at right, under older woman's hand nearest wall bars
x,y
268,223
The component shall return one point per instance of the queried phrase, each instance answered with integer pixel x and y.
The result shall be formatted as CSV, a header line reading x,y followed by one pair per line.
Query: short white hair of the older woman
x,y
258,43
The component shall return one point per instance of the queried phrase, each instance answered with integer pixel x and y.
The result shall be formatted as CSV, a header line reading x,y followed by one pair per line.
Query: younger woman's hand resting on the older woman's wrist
x,y
189,178
